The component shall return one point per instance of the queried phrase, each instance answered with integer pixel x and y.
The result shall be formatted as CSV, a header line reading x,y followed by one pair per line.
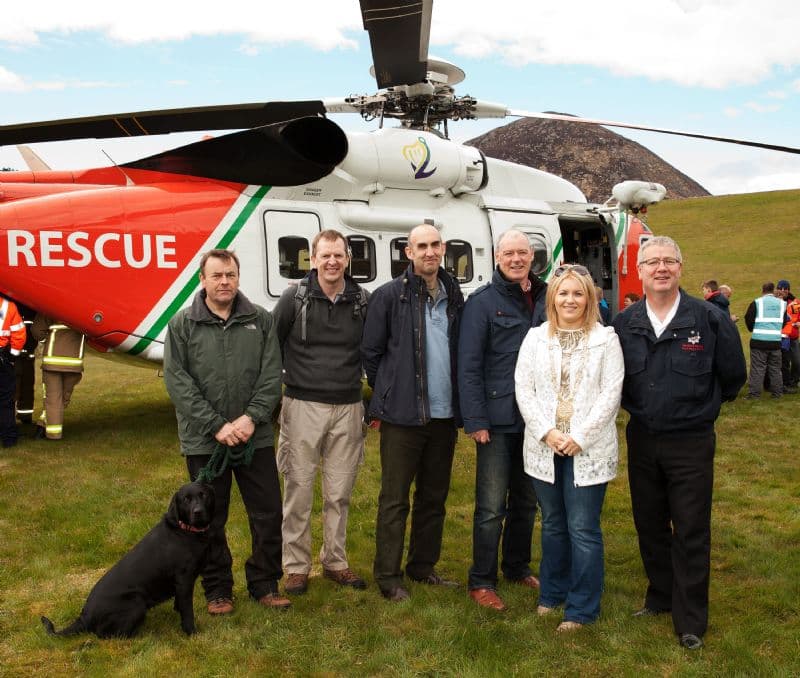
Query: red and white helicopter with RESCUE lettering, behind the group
x,y
114,251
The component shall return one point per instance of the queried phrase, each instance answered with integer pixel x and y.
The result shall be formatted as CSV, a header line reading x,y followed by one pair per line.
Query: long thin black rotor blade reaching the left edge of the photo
x,y
143,123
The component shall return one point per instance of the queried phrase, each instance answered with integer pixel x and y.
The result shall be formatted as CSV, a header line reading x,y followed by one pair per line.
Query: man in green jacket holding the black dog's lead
x,y
222,369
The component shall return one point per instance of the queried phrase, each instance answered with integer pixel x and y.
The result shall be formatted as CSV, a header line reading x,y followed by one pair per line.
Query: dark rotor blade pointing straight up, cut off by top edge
x,y
398,33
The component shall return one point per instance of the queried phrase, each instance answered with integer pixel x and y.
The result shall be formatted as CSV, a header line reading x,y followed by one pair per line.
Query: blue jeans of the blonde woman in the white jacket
x,y
571,571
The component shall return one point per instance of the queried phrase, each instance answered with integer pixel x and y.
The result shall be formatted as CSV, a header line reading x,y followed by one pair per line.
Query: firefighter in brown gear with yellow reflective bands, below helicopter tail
x,y
62,370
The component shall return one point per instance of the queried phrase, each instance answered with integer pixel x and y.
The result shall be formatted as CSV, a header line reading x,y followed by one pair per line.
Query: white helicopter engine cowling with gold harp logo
x,y
411,159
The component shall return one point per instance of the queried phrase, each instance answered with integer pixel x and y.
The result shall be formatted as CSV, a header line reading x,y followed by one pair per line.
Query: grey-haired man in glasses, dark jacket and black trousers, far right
x,y
683,358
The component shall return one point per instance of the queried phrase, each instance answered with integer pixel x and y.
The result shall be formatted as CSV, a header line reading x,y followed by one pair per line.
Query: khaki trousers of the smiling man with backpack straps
x,y
314,434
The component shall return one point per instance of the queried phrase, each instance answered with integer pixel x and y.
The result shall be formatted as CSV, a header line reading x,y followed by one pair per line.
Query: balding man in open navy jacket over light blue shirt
x,y
409,351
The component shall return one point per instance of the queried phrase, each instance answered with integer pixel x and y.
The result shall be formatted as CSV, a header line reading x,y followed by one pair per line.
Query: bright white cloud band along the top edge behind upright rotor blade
x,y
708,43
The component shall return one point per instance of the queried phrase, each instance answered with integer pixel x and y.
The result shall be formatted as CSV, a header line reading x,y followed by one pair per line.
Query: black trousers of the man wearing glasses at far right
x,y
671,480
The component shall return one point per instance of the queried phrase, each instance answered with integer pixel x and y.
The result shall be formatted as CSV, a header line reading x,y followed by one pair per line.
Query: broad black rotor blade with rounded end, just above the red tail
x,y
282,154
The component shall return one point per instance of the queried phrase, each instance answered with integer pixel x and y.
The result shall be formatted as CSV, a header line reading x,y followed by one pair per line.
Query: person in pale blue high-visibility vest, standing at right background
x,y
764,318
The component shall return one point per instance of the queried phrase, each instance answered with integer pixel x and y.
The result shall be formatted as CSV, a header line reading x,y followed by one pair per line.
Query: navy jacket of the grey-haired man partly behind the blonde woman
x,y
496,320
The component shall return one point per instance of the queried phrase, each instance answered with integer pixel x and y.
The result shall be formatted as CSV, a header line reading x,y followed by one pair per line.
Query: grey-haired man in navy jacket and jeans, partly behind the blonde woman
x,y
496,320
